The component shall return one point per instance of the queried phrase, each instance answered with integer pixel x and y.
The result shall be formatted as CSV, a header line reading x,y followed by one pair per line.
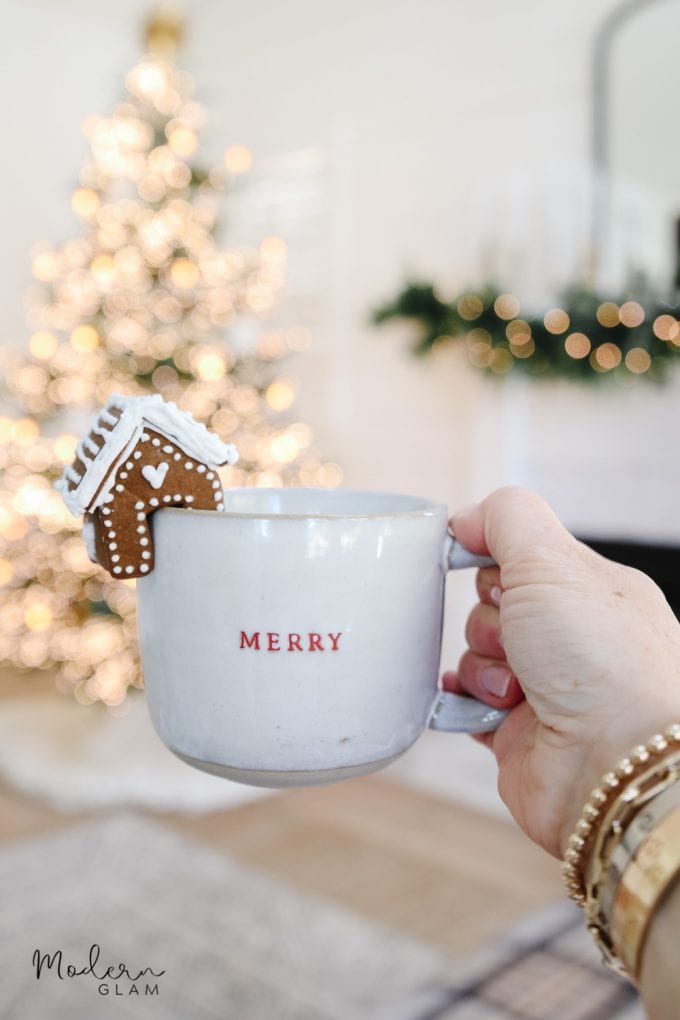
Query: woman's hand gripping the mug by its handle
x,y
585,651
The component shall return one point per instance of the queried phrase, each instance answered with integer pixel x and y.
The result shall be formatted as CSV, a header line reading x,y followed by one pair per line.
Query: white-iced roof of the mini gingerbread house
x,y
114,435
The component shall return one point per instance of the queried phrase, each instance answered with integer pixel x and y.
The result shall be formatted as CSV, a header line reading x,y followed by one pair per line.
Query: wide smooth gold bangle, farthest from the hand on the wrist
x,y
644,884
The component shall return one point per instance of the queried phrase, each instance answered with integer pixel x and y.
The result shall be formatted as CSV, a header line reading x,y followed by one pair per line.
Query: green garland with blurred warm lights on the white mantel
x,y
588,337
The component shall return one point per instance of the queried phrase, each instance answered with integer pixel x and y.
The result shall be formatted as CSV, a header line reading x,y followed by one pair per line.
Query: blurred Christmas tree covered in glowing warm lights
x,y
144,300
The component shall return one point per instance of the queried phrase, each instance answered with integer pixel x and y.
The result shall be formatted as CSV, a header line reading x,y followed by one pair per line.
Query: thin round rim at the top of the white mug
x,y
428,507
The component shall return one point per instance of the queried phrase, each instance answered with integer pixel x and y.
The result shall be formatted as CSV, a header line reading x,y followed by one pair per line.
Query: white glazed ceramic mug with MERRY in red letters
x,y
295,639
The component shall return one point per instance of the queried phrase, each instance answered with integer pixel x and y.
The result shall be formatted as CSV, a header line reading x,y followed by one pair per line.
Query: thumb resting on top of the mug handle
x,y
509,524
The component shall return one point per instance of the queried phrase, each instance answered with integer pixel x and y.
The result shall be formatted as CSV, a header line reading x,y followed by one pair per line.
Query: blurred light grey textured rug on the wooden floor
x,y
91,907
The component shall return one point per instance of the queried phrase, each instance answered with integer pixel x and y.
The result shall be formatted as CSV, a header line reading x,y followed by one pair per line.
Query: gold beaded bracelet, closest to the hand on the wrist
x,y
601,799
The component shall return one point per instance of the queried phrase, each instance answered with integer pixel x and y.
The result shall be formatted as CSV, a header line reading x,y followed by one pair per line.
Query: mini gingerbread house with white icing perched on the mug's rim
x,y
140,455
